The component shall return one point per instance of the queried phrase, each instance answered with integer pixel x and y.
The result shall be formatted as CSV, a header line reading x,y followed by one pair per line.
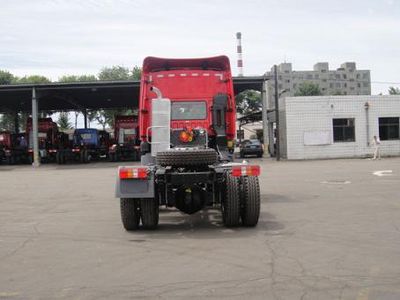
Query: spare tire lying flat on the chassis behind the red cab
x,y
188,157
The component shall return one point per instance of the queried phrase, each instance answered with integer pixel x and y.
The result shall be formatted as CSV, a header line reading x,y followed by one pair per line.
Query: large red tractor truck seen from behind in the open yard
x,y
187,121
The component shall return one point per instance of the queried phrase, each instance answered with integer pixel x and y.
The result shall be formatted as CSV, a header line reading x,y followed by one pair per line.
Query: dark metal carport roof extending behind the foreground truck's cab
x,y
88,95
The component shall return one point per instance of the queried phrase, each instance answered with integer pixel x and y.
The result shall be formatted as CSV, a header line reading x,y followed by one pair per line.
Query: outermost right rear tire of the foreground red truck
x,y
250,208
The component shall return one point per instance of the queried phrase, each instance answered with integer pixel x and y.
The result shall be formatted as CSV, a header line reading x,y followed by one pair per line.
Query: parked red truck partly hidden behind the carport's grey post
x,y
49,139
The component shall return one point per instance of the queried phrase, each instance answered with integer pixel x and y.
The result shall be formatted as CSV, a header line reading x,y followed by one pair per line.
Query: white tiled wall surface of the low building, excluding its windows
x,y
302,114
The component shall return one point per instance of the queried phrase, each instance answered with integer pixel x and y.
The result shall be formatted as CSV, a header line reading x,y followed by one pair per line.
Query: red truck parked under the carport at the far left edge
x,y
13,148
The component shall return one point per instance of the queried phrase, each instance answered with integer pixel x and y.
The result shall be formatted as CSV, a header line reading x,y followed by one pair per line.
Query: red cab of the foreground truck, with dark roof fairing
x,y
202,98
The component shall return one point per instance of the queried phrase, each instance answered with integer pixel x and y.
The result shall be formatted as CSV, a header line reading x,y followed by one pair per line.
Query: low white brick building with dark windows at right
x,y
338,126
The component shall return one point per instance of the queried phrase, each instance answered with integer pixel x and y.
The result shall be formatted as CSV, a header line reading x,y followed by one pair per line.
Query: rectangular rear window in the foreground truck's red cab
x,y
188,110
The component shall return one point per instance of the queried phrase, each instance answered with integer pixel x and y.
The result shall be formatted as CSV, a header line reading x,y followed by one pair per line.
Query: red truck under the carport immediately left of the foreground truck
x,y
126,145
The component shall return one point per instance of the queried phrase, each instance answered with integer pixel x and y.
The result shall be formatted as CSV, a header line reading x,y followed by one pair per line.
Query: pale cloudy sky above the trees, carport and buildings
x,y
60,37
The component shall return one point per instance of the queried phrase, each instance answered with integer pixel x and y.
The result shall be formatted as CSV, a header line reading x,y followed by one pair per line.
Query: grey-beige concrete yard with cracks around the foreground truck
x,y
328,230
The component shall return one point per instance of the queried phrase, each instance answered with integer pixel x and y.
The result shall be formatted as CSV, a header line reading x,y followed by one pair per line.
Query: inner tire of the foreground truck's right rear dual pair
x,y
231,201
